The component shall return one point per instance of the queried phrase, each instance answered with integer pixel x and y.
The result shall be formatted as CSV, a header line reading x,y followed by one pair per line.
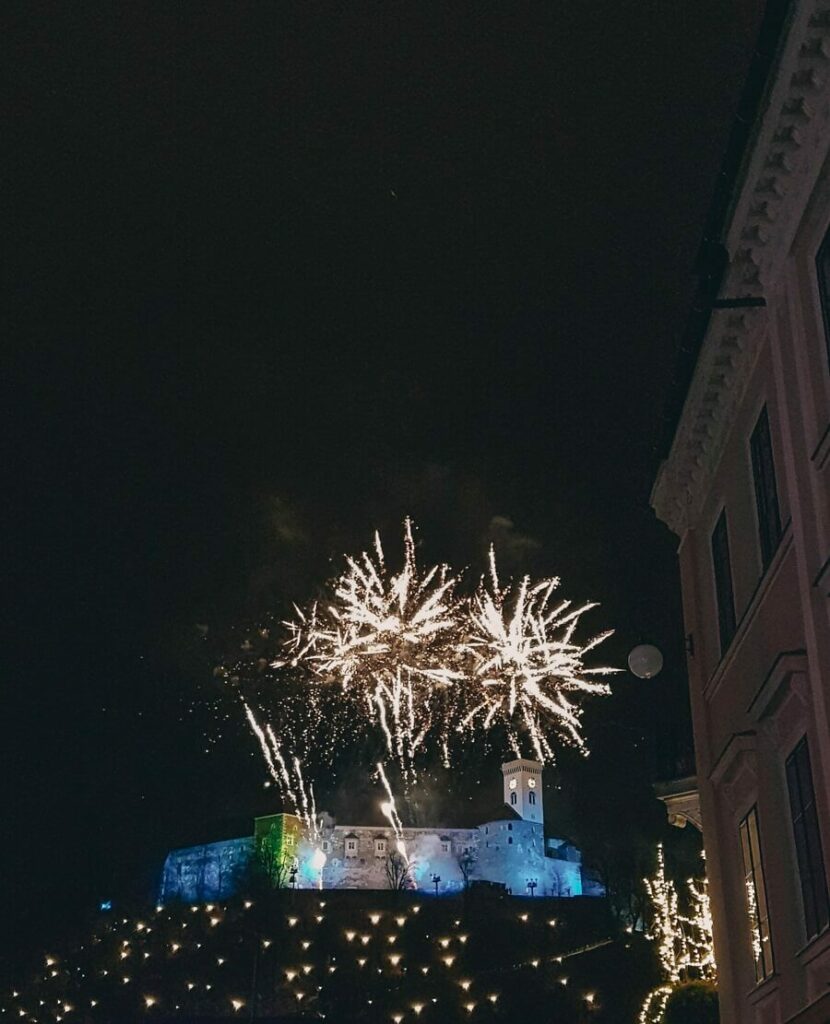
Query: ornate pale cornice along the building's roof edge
x,y
779,176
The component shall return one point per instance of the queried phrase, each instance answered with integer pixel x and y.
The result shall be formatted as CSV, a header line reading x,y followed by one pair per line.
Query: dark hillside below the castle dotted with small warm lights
x,y
177,963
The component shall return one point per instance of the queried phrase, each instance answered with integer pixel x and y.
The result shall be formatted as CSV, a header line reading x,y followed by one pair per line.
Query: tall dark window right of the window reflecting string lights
x,y
808,841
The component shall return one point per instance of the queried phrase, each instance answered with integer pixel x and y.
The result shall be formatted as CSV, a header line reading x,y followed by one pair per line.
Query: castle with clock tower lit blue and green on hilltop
x,y
509,850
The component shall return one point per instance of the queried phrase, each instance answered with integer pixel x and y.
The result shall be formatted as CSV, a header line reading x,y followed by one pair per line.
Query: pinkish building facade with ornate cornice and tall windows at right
x,y
746,487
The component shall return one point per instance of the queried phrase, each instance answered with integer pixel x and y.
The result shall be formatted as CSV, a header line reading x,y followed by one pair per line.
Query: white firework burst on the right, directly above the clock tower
x,y
527,663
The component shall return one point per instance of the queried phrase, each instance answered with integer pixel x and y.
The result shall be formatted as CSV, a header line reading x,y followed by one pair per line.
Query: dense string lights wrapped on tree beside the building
x,y
684,942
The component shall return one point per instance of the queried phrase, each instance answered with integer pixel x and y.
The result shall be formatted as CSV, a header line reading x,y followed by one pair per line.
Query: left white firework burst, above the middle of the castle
x,y
389,642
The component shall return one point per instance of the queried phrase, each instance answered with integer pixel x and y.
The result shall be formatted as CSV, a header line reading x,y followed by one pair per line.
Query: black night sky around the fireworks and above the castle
x,y
283,274
